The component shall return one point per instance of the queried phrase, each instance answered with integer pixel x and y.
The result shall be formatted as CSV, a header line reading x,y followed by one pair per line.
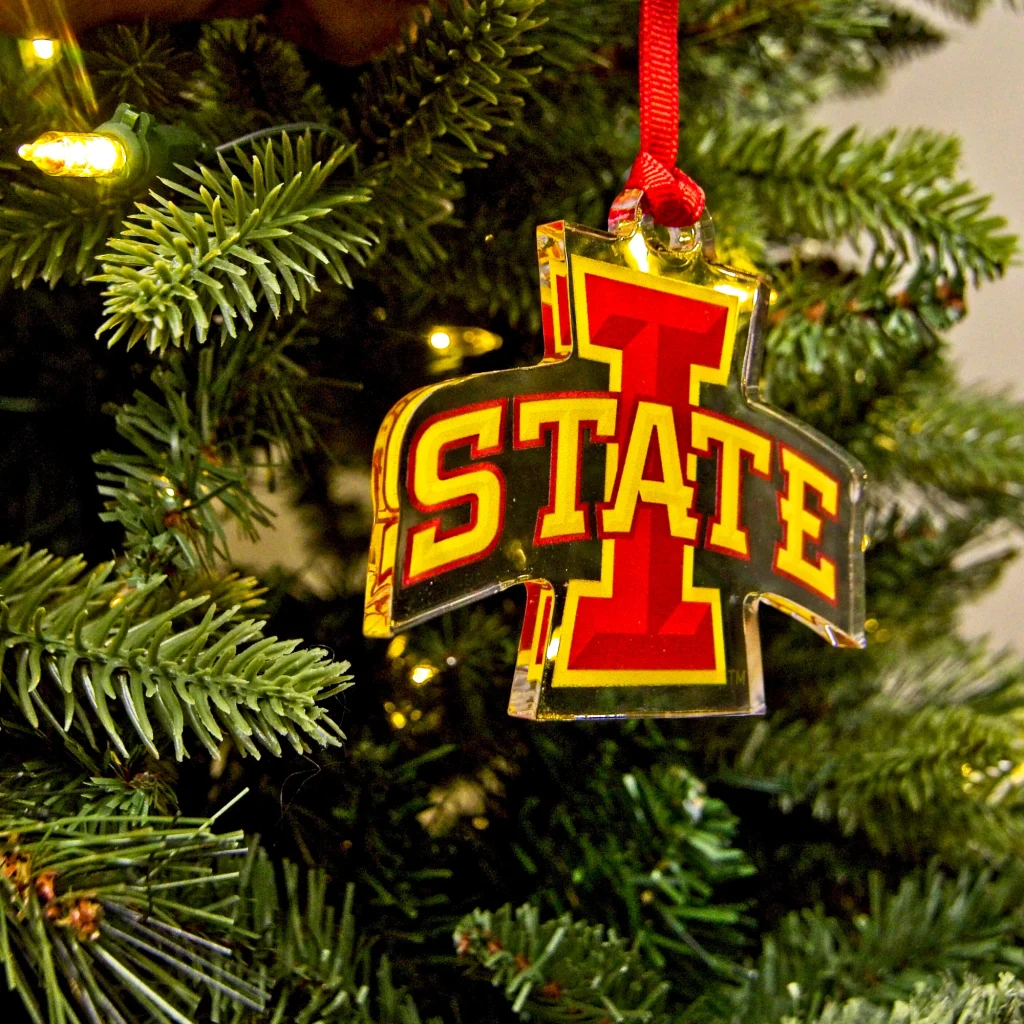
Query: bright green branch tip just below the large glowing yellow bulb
x,y
175,269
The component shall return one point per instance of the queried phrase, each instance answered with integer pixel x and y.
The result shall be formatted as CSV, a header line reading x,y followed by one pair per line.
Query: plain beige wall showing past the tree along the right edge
x,y
974,89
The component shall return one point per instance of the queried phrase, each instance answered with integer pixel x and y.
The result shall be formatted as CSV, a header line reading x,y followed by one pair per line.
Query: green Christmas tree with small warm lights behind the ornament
x,y
204,818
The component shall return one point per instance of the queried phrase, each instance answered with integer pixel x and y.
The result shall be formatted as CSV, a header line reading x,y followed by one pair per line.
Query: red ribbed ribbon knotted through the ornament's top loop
x,y
673,198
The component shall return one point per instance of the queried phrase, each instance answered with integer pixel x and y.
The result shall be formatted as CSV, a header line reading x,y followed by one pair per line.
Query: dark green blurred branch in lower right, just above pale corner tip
x,y
929,927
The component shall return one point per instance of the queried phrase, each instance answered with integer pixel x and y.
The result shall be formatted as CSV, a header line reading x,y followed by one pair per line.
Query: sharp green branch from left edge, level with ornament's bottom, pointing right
x,y
77,653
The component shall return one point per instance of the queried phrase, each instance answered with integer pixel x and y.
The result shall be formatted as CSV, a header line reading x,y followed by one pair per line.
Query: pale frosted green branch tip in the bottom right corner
x,y
971,1003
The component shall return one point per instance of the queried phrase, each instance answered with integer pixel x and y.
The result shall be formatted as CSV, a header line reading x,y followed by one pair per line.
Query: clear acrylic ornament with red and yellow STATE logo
x,y
632,482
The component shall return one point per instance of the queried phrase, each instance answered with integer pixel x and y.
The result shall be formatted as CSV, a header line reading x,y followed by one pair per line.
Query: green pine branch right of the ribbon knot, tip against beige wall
x,y
899,192
